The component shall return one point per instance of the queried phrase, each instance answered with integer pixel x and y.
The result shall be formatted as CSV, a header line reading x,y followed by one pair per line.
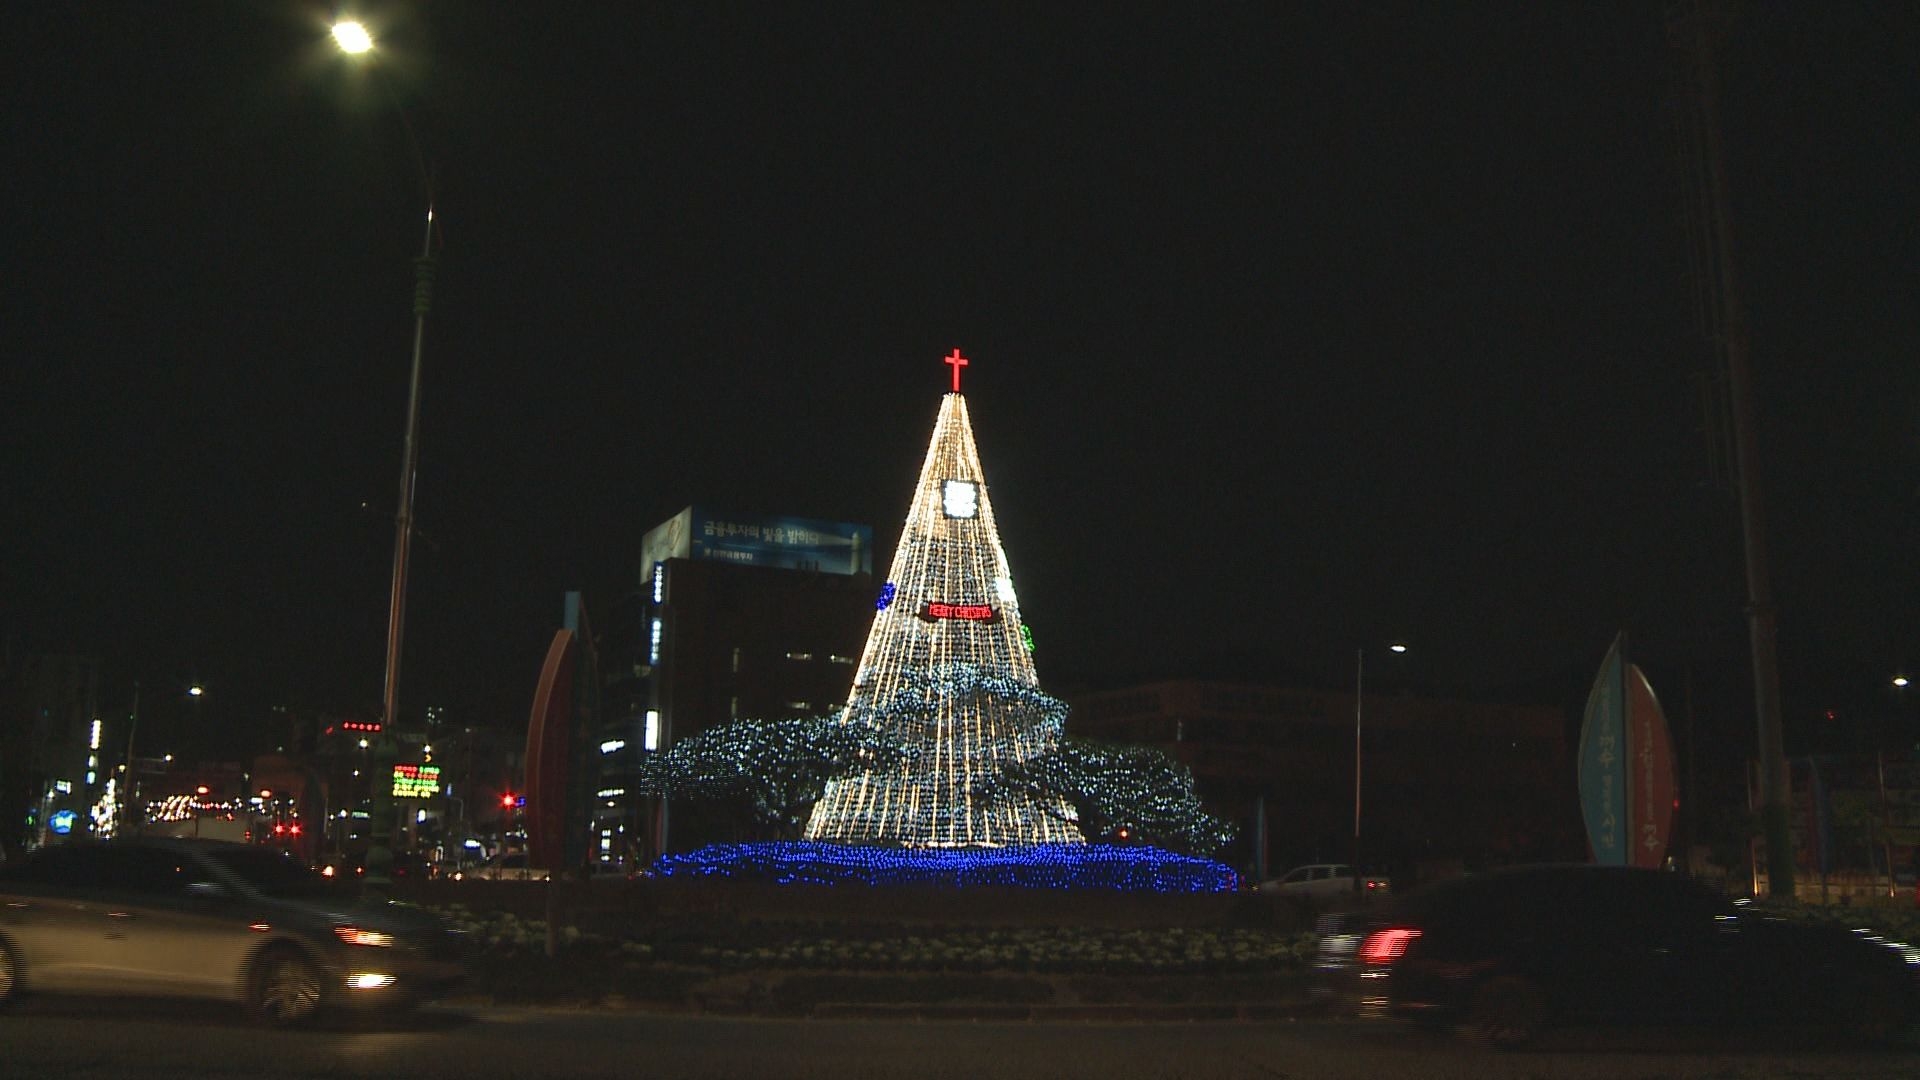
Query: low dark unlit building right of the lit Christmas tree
x,y
1441,783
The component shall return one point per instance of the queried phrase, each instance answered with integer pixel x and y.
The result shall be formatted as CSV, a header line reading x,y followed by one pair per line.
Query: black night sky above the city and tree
x,y
1295,330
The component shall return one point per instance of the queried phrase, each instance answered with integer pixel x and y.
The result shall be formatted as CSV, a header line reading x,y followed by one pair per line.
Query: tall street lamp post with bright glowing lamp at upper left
x,y
354,39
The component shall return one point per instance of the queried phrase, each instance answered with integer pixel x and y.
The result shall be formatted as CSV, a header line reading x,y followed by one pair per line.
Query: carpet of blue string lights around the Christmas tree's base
x,y
1038,866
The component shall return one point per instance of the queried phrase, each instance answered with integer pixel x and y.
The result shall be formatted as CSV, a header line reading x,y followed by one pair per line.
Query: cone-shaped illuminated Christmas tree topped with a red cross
x,y
948,675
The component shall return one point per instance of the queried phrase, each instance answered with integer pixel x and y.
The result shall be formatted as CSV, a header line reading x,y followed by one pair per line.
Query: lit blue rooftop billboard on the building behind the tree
x,y
761,541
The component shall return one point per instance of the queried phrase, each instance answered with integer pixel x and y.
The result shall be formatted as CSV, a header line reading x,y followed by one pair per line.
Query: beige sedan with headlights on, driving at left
x,y
214,920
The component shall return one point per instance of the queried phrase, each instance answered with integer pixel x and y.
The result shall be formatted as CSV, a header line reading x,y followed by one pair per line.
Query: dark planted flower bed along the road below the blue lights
x,y
792,966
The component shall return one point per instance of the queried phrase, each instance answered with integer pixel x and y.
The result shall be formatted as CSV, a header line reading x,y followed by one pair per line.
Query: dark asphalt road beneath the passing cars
x,y
85,1041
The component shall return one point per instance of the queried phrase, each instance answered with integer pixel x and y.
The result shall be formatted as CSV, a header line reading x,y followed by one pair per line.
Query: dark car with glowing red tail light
x,y
1510,954
